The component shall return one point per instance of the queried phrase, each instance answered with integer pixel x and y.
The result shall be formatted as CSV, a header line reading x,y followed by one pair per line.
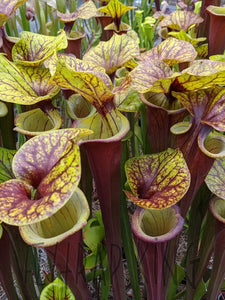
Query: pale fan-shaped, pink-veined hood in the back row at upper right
x,y
180,19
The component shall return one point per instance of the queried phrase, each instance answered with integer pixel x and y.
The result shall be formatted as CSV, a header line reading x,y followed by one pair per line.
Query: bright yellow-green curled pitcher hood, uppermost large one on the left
x,y
33,49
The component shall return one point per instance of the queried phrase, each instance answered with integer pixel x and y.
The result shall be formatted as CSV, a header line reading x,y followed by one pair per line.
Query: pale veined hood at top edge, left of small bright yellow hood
x,y
85,11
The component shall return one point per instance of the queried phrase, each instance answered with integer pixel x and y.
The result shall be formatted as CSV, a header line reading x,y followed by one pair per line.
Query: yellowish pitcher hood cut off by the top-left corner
x,y
7,8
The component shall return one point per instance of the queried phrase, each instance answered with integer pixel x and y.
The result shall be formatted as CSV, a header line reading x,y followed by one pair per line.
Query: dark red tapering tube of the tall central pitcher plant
x,y
104,159
